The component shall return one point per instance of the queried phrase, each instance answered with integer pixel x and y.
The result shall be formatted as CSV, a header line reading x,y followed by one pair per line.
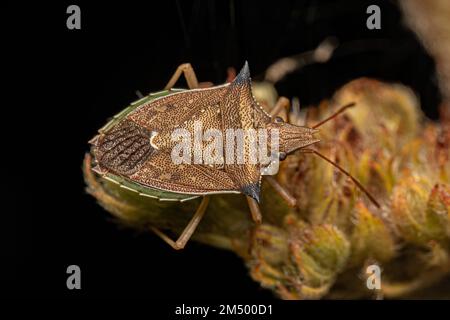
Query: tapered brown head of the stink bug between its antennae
x,y
292,137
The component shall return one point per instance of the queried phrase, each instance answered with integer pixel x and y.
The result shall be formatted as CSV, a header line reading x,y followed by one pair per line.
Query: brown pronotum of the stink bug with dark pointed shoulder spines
x,y
240,111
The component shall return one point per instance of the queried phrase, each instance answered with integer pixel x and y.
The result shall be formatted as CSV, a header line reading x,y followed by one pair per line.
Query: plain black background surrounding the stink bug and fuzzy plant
x,y
66,83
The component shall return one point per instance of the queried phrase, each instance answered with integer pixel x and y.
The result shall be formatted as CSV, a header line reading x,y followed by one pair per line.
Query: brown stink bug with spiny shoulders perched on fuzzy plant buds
x,y
136,148
